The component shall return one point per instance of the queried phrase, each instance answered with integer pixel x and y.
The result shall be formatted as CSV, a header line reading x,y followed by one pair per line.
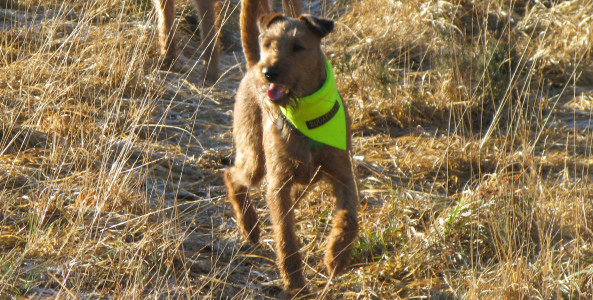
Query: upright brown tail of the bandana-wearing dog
x,y
250,12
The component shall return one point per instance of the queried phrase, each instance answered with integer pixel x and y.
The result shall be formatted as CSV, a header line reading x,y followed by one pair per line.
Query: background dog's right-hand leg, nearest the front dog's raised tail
x,y
209,35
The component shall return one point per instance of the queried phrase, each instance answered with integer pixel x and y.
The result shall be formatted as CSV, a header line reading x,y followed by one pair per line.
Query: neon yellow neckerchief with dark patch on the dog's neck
x,y
320,116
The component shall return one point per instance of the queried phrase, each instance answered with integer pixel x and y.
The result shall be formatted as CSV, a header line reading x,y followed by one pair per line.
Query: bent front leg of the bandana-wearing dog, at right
x,y
345,224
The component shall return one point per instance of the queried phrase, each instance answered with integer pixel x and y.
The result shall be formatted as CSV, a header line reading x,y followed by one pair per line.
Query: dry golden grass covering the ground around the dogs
x,y
473,147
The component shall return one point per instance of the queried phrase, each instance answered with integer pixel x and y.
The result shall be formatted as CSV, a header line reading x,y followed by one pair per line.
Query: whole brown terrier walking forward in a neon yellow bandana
x,y
289,66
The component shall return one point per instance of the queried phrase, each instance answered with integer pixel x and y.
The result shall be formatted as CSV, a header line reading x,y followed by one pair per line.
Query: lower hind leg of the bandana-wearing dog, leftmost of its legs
x,y
238,195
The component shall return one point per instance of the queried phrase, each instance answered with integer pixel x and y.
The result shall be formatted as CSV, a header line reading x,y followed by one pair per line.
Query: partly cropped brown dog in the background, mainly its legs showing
x,y
209,26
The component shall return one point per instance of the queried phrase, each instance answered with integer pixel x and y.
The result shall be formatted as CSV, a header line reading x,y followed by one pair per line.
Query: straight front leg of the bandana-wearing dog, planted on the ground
x,y
287,246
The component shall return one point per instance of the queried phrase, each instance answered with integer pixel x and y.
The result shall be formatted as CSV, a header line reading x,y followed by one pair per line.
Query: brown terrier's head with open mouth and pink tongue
x,y
291,64
